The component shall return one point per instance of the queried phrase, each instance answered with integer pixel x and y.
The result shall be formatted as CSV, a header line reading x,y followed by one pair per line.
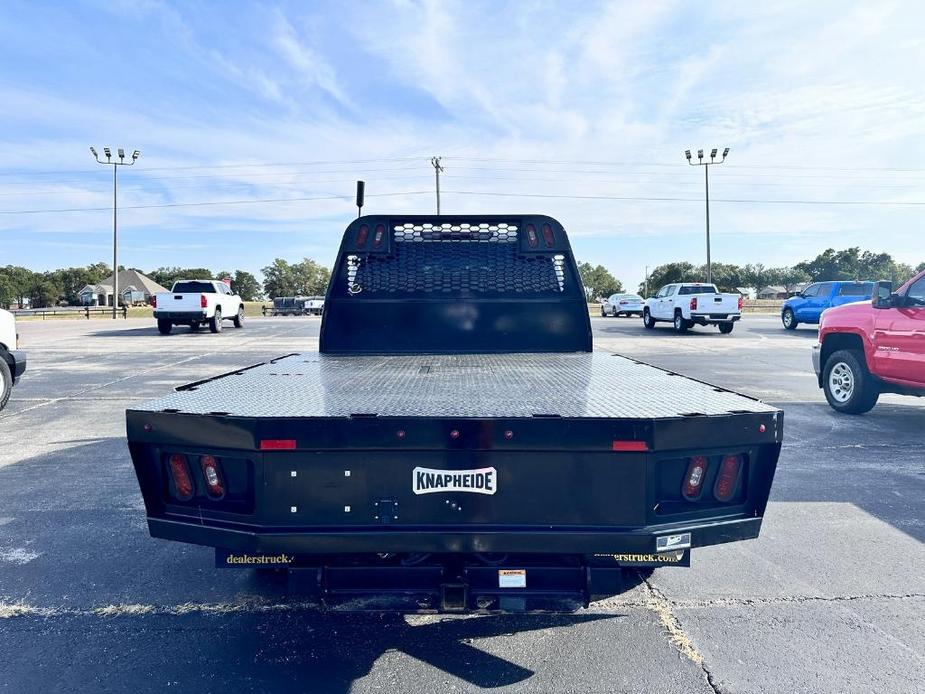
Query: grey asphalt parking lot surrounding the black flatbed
x,y
831,598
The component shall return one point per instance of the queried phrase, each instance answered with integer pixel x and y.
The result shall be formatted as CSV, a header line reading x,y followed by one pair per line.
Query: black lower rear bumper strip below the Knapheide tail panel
x,y
378,539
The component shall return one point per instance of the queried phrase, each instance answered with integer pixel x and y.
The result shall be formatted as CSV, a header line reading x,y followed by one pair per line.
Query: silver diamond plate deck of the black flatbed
x,y
597,385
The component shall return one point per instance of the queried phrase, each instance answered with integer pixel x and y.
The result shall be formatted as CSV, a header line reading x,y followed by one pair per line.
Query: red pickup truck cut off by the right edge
x,y
873,347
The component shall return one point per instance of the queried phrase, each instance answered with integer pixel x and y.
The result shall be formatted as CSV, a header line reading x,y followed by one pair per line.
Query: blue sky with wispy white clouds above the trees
x,y
232,102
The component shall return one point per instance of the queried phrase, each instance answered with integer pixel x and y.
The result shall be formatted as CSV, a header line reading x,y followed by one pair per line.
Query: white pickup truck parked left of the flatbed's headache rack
x,y
195,302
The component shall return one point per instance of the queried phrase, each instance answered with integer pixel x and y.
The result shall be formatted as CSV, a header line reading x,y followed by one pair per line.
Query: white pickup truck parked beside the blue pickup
x,y
688,303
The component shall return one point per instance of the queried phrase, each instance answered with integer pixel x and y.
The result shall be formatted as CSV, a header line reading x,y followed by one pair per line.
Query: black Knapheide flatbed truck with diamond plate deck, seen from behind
x,y
455,444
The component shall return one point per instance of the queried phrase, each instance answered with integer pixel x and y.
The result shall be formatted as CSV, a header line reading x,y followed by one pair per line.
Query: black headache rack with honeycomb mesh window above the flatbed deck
x,y
465,284
